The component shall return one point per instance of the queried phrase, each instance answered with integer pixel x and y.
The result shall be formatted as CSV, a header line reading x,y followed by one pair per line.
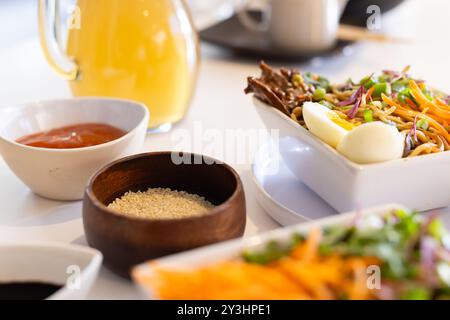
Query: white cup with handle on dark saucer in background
x,y
296,25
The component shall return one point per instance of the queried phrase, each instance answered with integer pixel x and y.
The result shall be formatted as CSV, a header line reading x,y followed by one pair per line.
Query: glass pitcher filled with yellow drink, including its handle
x,y
144,50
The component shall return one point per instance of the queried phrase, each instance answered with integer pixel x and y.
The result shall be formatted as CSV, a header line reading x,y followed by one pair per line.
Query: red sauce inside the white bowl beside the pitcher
x,y
74,136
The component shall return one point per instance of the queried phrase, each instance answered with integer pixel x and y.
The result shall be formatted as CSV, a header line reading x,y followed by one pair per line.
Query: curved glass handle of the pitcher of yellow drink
x,y
50,38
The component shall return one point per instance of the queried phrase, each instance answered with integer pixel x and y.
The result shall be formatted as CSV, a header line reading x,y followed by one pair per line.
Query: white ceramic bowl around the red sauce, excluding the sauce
x,y
62,174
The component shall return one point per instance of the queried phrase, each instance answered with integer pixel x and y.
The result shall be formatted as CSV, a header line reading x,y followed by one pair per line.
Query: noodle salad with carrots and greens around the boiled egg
x,y
419,112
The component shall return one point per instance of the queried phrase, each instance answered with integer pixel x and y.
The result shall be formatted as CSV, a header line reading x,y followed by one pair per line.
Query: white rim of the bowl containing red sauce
x,y
99,146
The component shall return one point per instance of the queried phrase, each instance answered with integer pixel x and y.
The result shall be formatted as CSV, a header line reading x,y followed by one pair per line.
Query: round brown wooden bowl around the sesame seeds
x,y
126,242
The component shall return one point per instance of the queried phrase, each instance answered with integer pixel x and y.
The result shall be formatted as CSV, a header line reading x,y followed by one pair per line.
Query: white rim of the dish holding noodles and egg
x,y
348,163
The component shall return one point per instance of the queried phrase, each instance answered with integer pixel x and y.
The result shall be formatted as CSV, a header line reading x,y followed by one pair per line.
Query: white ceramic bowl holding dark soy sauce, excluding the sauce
x,y
73,267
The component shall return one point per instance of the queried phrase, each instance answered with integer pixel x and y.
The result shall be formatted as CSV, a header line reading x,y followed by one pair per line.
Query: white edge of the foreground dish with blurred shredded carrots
x,y
233,249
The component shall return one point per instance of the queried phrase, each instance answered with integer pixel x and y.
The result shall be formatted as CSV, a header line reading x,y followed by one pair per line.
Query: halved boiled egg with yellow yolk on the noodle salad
x,y
362,143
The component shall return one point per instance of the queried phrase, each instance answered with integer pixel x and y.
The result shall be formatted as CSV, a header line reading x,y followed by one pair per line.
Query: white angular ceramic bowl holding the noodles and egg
x,y
421,183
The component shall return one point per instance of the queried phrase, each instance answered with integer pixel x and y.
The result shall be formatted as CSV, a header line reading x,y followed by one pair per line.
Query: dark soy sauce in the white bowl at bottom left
x,y
27,290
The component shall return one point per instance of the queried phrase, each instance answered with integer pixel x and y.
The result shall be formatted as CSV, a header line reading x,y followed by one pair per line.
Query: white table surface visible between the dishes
x,y
219,104
